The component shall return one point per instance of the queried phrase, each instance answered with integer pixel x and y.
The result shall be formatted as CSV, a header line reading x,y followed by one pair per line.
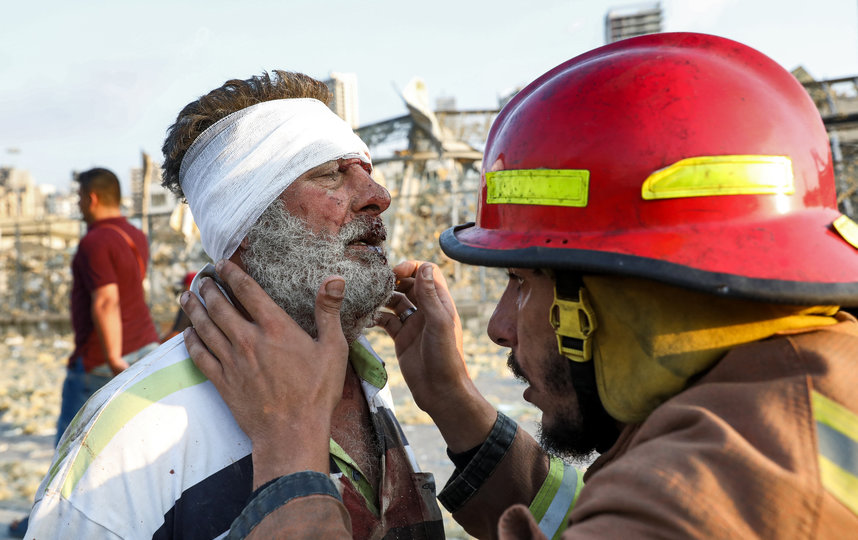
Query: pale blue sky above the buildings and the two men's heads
x,y
93,83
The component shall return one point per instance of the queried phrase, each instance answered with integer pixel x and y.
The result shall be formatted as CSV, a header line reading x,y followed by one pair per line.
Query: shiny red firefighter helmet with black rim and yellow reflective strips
x,y
685,158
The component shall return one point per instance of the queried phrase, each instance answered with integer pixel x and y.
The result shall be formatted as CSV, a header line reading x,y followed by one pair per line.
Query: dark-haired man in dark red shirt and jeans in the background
x,y
111,321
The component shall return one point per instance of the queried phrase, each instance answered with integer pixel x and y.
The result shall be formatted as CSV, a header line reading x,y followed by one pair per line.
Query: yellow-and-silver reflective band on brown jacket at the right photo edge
x,y
837,436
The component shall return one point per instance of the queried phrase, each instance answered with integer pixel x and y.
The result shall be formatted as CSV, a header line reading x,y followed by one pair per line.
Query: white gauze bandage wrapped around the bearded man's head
x,y
244,161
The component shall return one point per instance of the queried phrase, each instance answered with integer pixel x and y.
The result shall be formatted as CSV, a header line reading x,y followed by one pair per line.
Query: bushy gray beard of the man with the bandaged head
x,y
290,262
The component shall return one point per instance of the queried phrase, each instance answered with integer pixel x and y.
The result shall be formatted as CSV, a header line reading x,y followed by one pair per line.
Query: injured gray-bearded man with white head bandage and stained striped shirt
x,y
280,187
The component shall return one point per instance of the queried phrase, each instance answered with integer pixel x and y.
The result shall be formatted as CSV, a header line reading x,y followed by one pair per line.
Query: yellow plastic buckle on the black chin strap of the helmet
x,y
573,319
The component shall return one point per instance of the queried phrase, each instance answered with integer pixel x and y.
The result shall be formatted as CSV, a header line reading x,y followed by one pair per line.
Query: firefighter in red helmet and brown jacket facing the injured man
x,y
676,190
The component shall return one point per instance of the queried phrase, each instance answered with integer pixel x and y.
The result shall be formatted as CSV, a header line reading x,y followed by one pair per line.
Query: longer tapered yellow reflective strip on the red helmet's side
x,y
707,176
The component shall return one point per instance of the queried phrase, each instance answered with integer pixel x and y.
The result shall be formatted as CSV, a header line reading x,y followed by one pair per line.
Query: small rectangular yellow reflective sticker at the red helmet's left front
x,y
543,187
